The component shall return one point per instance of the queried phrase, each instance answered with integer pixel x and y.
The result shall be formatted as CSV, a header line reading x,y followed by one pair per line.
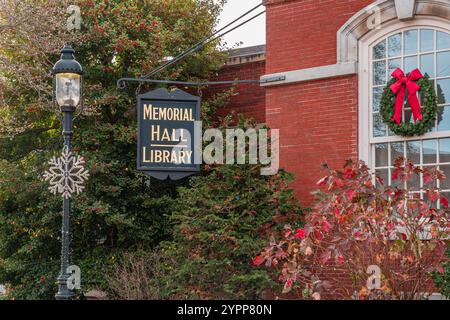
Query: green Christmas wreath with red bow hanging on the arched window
x,y
392,101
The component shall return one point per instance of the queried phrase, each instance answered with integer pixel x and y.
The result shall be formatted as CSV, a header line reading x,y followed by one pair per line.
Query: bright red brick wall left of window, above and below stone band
x,y
318,120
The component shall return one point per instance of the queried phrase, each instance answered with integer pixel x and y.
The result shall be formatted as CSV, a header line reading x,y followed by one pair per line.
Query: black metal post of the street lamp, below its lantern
x,y
63,292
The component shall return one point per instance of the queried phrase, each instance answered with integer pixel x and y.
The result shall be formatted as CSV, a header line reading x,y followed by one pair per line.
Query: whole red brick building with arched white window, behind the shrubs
x,y
323,69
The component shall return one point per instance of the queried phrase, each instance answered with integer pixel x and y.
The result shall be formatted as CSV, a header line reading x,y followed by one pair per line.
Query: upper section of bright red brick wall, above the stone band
x,y
302,33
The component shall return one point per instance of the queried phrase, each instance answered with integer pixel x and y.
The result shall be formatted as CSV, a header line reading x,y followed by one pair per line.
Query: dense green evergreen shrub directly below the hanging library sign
x,y
221,221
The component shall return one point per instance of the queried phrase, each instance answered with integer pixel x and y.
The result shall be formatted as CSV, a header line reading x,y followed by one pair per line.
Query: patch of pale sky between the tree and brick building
x,y
252,33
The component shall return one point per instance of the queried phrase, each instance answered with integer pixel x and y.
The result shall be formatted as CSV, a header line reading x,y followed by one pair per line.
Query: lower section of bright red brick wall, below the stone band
x,y
318,124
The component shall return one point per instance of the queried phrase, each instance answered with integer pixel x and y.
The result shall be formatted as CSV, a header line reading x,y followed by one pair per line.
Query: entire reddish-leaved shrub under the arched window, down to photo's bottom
x,y
359,221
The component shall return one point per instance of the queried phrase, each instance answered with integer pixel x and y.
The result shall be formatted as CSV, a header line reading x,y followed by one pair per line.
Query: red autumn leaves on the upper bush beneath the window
x,y
355,208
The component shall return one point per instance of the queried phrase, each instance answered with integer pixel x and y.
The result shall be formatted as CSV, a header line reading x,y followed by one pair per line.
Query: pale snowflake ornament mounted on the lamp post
x,y
66,174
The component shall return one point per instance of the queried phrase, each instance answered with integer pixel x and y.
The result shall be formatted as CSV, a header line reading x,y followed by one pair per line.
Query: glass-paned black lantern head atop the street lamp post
x,y
67,74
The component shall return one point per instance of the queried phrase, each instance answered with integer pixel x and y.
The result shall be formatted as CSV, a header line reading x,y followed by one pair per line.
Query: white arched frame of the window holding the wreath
x,y
365,139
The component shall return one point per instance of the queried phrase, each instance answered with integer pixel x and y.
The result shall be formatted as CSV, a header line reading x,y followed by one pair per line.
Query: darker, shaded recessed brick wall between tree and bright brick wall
x,y
249,99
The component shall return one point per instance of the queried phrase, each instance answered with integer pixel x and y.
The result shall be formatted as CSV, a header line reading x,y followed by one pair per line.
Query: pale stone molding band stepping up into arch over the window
x,y
371,18
